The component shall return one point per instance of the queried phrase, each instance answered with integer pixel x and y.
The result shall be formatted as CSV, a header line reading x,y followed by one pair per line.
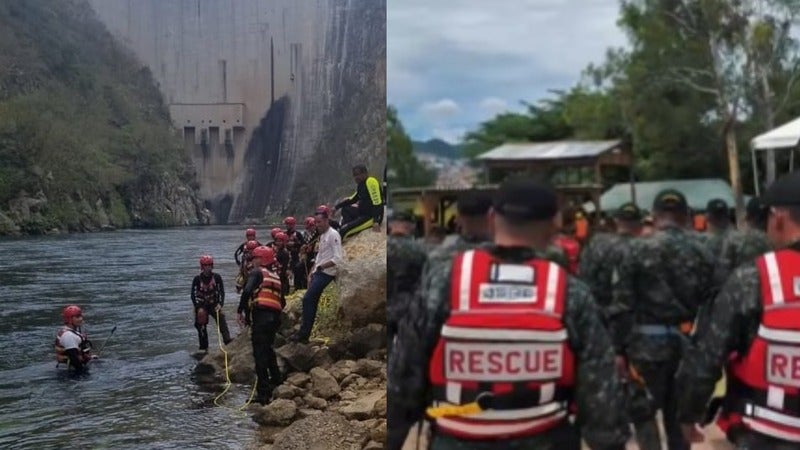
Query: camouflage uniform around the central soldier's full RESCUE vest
x,y
598,394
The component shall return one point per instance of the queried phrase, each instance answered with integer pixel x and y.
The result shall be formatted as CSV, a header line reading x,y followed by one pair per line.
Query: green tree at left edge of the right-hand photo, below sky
x,y
404,168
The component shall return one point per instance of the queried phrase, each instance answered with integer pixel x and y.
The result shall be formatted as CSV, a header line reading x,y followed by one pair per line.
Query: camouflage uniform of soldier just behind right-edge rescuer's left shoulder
x,y
737,248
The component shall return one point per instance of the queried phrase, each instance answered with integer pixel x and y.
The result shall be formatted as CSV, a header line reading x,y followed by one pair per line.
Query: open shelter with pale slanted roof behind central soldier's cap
x,y
576,168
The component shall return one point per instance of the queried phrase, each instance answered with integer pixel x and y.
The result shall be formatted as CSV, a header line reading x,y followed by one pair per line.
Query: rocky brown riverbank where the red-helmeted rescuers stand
x,y
334,394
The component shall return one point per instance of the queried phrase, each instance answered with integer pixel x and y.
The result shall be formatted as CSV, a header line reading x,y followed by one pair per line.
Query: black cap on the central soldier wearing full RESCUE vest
x,y
523,199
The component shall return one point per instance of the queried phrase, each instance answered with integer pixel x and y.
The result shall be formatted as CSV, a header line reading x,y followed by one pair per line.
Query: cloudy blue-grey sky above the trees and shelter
x,y
453,64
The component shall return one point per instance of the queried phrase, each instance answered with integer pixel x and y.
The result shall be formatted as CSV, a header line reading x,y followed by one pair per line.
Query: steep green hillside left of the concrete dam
x,y
85,138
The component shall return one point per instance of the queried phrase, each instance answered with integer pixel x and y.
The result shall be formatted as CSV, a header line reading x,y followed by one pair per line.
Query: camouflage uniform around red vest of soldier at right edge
x,y
729,324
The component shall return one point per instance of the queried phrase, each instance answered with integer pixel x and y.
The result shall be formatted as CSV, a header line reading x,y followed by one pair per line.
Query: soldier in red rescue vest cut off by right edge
x,y
752,329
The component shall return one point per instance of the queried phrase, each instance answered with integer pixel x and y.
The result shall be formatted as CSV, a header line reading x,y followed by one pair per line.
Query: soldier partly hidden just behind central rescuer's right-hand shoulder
x,y
603,252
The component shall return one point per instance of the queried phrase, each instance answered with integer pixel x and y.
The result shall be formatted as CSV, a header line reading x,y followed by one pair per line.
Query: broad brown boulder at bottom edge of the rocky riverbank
x,y
326,431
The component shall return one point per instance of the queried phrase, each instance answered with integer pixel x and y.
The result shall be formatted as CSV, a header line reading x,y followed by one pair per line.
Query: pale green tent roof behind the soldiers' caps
x,y
698,193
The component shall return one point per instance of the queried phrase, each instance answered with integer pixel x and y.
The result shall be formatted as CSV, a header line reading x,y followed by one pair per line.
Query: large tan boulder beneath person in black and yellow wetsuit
x,y
362,280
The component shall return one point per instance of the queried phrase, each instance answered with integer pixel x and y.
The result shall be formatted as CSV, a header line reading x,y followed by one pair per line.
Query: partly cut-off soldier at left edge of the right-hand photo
x,y
405,258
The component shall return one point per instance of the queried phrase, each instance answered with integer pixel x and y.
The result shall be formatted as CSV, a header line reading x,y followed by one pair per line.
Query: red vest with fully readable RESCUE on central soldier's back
x,y
504,339
